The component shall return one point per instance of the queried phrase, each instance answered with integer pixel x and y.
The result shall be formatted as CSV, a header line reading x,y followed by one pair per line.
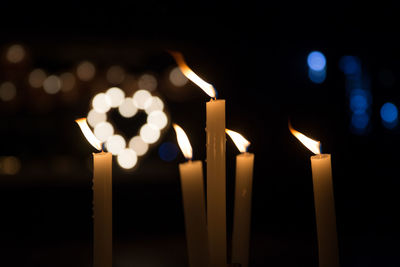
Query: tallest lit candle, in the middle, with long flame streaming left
x,y
216,170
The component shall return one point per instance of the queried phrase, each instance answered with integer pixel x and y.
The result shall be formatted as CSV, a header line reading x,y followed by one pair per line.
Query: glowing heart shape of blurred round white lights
x,y
127,151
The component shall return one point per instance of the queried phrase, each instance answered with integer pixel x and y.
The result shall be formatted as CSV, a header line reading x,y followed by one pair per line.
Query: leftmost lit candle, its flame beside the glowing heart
x,y
102,200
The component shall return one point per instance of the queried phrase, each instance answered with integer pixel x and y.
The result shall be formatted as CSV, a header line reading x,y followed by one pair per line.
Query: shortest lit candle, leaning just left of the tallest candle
x,y
192,184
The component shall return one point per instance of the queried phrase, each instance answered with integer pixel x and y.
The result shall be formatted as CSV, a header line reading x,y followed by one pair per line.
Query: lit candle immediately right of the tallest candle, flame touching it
x,y
242,204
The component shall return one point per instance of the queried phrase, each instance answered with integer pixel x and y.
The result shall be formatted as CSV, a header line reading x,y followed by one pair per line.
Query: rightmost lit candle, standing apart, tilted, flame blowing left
x,y
328,254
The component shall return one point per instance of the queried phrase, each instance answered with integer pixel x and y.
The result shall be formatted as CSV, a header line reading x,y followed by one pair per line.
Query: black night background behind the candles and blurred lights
x,y
255,55
